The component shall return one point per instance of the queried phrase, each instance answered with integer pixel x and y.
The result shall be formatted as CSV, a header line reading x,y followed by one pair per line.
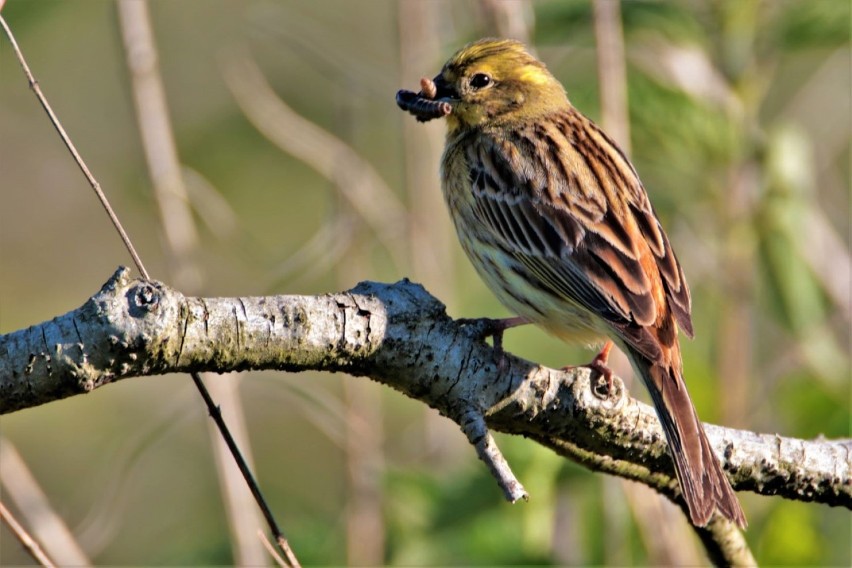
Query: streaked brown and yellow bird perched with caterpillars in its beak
x,y
555,220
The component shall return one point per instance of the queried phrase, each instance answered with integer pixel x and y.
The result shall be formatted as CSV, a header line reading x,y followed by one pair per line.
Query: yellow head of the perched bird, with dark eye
x,y
495,81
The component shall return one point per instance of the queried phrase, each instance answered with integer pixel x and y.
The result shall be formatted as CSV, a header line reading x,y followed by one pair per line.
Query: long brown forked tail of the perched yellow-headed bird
x,y
705,486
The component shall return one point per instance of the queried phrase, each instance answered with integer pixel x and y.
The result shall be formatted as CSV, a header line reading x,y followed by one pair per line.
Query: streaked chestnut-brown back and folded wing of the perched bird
x,y
555,206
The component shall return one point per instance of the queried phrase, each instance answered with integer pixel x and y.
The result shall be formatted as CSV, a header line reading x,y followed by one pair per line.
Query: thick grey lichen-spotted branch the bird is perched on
x,y
398,335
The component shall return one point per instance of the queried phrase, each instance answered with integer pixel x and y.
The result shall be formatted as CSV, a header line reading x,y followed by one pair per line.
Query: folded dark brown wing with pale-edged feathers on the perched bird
x,y
579,250
